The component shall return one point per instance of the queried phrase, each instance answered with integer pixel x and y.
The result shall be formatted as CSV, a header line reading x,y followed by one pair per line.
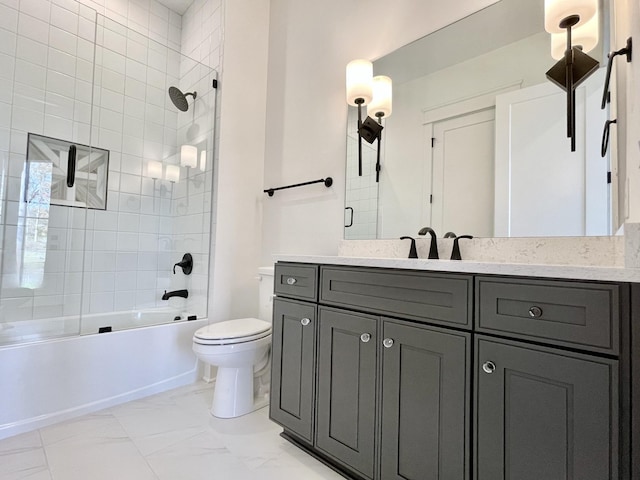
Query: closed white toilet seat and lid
x,y
233,331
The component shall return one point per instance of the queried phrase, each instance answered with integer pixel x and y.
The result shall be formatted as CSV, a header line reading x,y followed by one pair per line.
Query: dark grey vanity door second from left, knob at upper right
x,y
346,408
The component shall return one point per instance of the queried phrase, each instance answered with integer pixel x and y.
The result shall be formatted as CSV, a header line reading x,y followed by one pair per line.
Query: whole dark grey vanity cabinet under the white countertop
x,y
383,385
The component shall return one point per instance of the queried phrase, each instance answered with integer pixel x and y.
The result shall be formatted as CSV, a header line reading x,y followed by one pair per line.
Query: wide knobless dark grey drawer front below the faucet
x,y
444,299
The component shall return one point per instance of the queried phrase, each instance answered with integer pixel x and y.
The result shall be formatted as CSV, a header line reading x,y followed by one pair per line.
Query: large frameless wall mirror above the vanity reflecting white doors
x,y
476,143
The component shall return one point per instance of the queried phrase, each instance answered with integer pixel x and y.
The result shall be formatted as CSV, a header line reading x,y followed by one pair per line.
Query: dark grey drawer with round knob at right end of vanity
x,y
564,313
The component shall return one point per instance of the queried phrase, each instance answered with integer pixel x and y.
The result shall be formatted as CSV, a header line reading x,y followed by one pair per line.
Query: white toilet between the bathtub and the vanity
x,y
241,351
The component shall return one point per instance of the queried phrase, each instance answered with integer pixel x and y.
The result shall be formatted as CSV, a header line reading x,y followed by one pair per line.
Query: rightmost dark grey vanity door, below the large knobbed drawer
x,y
544,414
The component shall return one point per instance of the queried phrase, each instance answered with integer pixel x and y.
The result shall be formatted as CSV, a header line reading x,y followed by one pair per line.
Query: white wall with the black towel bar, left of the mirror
x,y
310,44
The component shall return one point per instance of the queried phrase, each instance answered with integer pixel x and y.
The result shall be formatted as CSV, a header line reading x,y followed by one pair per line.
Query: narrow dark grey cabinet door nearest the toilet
x,y
292,366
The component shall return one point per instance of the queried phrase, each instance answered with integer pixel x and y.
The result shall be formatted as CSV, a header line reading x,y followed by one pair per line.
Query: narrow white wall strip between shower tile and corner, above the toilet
x,y
237,239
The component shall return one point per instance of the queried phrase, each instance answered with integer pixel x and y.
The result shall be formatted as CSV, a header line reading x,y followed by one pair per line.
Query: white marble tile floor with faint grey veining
x,y
169,436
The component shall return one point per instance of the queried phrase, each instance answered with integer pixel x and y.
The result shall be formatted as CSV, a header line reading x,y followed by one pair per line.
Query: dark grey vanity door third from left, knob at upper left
x,y
425,403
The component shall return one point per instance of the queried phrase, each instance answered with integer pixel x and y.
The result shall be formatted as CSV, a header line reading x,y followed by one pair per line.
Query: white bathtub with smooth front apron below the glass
x,y
48,381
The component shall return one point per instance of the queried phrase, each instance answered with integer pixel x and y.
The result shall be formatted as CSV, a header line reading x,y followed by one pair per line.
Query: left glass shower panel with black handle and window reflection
x,y
46,78
